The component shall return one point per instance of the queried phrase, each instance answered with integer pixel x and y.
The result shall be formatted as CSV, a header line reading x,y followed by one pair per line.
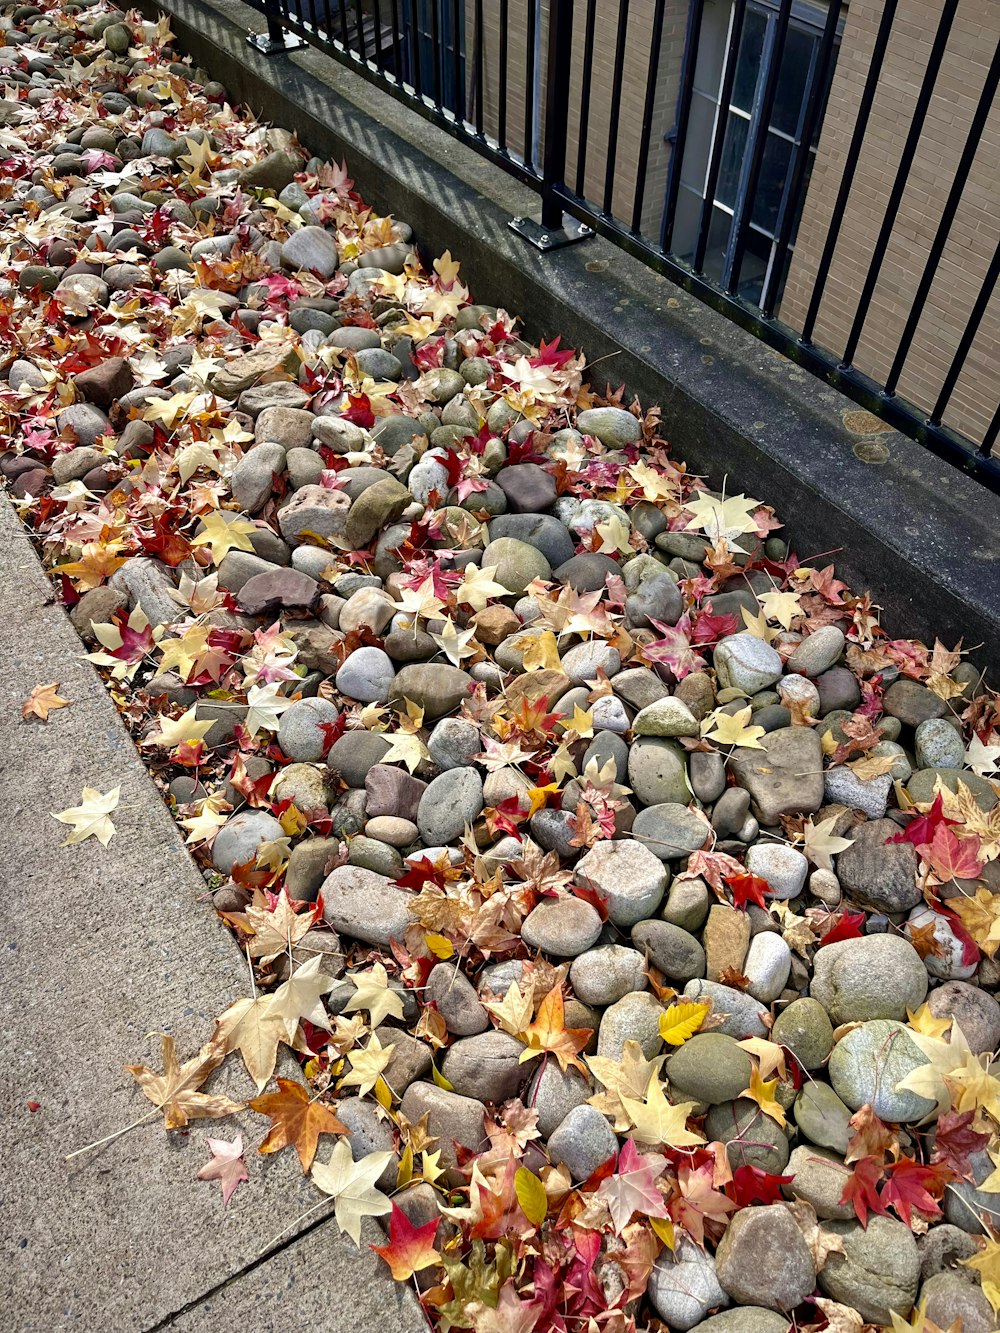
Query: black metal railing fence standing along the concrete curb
x,y
571,95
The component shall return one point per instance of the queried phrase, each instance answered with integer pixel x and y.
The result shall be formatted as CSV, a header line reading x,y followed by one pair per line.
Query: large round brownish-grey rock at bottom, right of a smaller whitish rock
x,y
763,1259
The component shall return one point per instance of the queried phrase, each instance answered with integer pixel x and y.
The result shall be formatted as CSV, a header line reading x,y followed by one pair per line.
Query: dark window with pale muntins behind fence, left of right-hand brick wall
x,y
741,123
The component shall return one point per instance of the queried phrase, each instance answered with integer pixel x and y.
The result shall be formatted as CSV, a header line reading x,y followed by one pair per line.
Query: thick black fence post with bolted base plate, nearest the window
x,y
555,229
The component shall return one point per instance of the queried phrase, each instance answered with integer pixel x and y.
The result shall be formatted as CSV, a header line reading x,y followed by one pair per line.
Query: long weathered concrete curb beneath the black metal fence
x,y
917,533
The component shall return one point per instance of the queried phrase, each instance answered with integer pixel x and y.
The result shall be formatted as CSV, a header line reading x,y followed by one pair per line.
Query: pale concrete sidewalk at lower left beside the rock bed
x,y
103,948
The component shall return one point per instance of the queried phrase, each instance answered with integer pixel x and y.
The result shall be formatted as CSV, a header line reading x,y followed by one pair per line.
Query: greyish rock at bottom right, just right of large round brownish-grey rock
x,y
878,1272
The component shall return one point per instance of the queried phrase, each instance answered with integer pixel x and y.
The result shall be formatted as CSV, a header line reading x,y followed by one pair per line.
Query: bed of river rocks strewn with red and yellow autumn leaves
x,y
671,878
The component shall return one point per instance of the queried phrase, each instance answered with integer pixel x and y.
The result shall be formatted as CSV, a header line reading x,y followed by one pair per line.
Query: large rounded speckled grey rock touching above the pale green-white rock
x,y
881,976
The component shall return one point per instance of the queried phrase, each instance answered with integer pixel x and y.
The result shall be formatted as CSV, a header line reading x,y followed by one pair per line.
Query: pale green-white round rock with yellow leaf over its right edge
x,y
870,1062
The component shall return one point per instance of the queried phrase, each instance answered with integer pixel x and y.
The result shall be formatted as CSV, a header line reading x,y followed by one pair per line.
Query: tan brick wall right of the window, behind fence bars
x,y
977,227
